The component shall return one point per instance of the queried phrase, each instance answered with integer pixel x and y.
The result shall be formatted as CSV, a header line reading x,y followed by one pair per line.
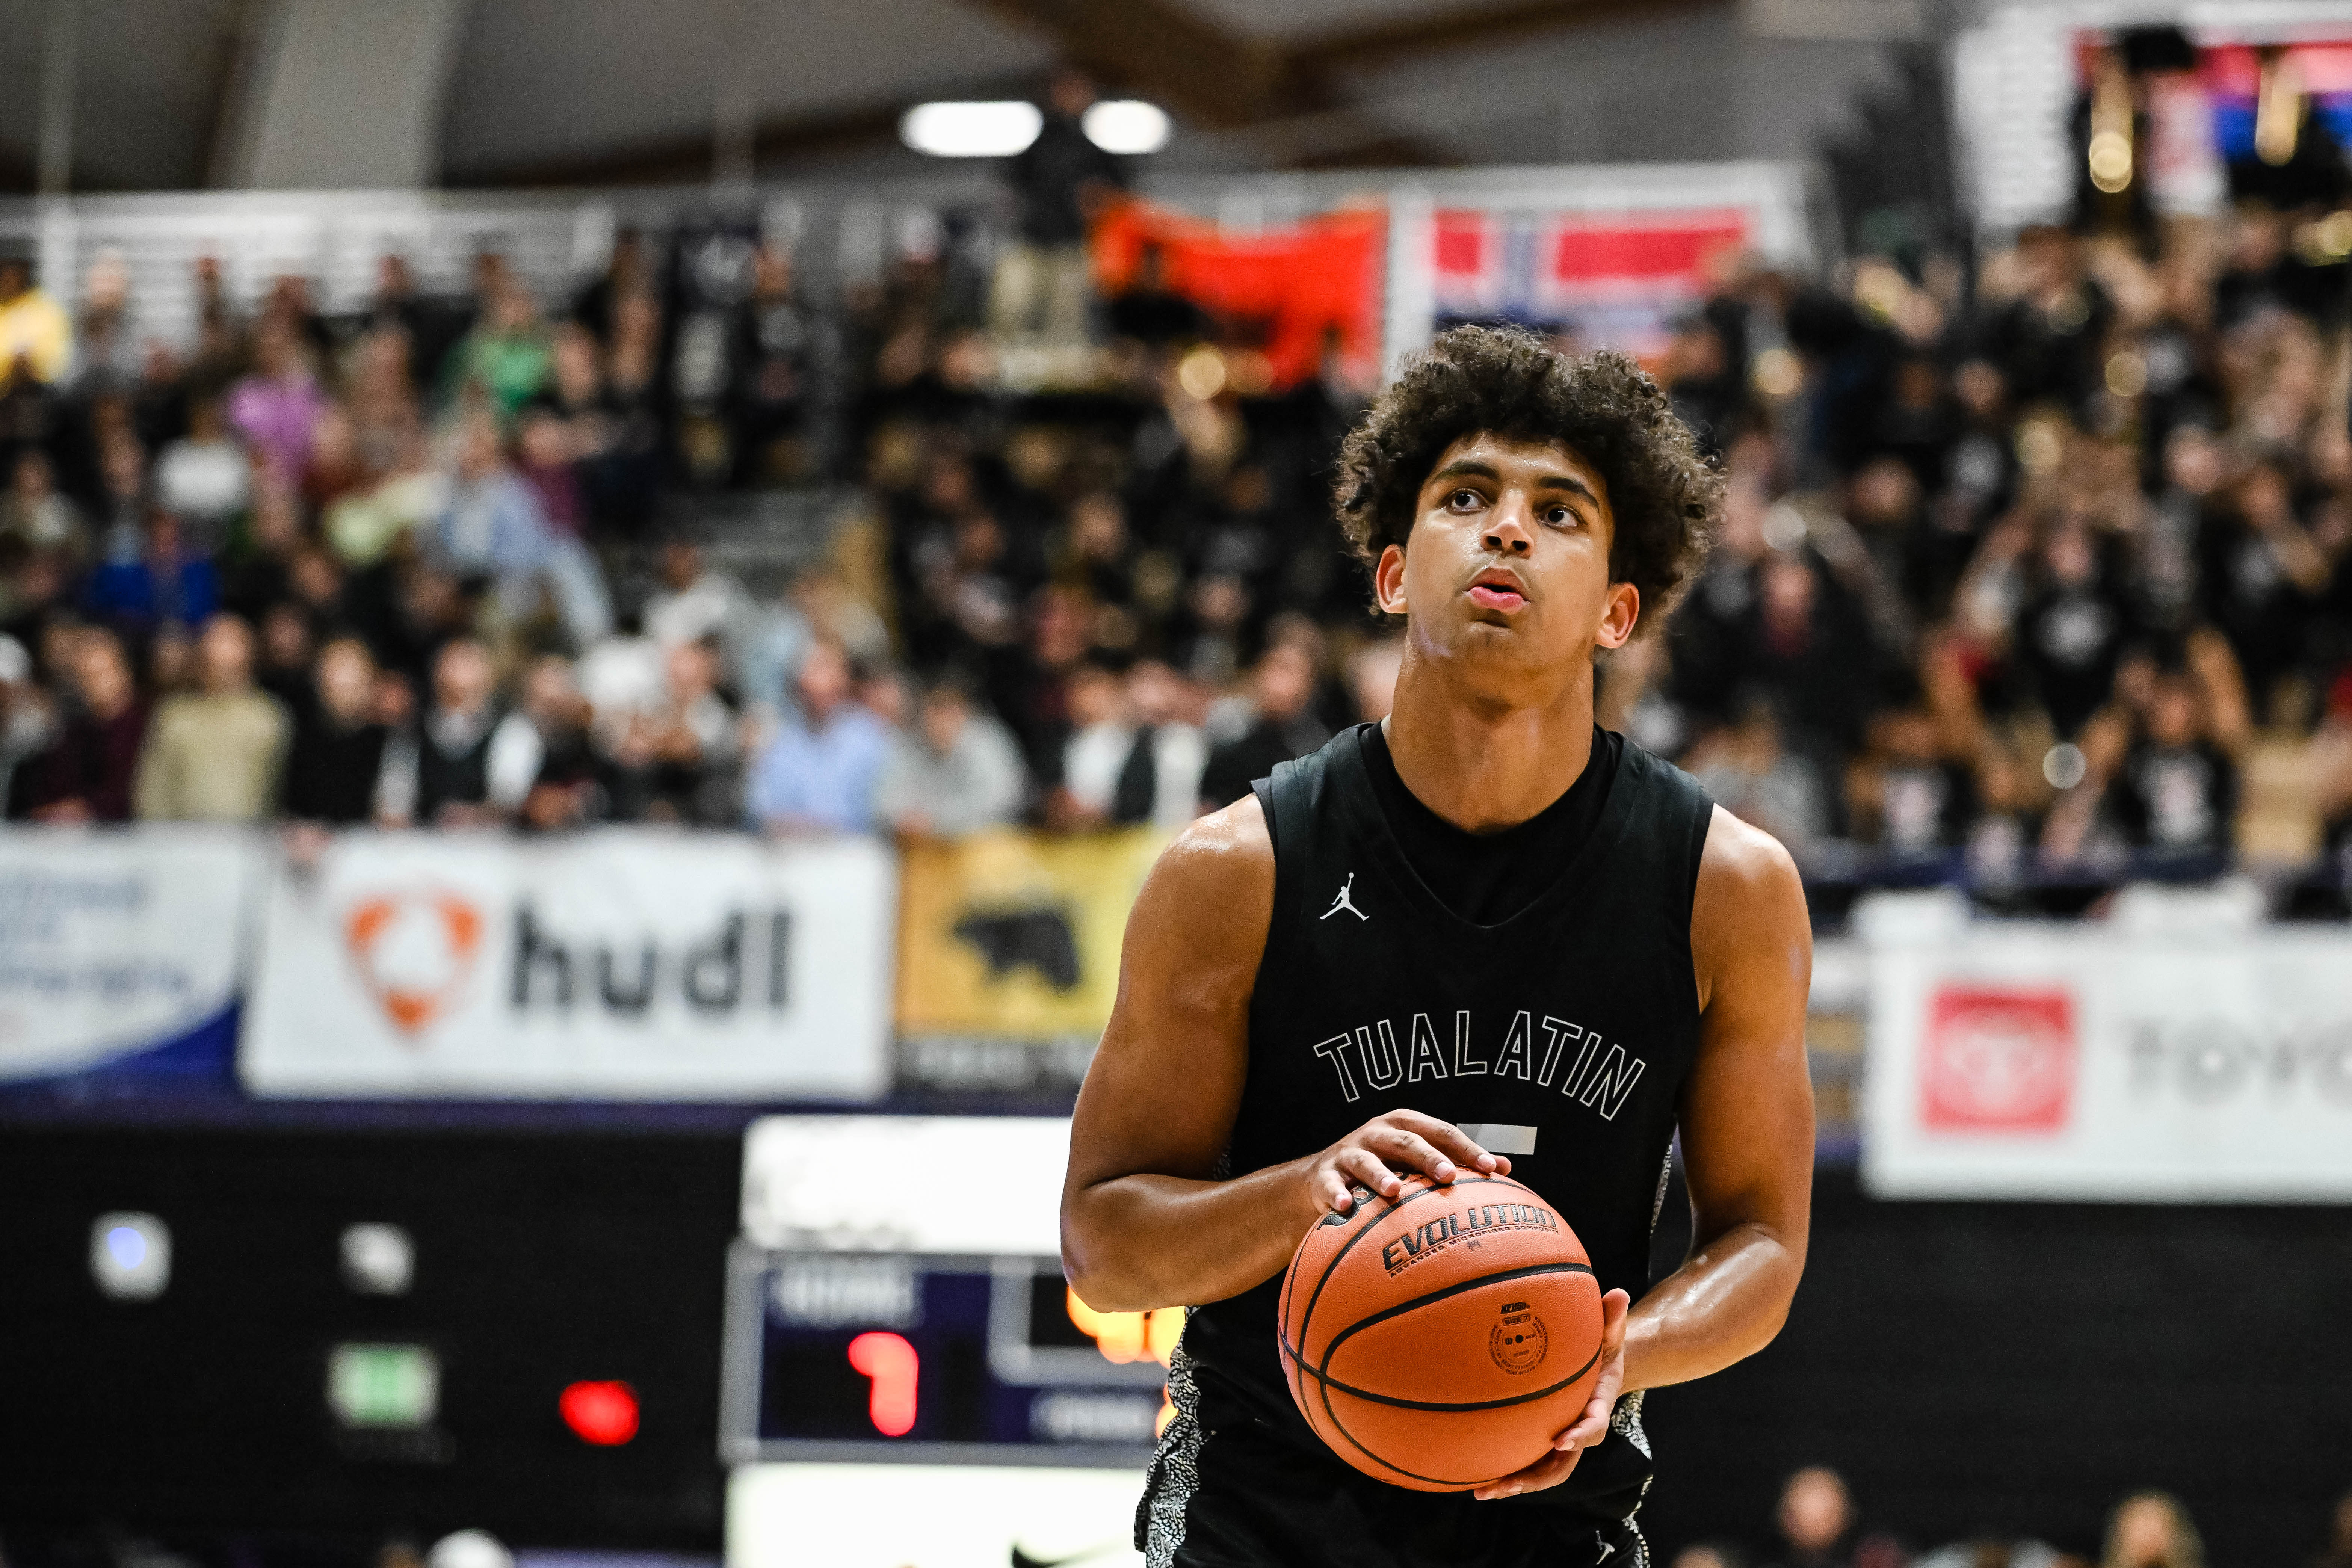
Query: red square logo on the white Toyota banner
x,y
1998,1061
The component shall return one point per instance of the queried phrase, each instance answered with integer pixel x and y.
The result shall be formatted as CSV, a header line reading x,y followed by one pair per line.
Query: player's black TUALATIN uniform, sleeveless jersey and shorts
x,y
1561,1038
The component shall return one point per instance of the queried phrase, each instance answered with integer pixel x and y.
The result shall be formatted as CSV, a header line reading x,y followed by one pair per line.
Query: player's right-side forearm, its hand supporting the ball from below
x,y
1725,1304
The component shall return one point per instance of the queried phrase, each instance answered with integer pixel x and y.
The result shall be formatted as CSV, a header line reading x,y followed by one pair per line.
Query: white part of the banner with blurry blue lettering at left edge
x,y
119,944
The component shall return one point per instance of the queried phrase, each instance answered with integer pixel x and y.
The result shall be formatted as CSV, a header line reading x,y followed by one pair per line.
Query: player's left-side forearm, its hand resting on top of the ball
x,y
1147,1242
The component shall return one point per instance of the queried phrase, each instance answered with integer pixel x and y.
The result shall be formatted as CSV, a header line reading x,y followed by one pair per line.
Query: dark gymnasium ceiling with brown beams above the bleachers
x,y
627,91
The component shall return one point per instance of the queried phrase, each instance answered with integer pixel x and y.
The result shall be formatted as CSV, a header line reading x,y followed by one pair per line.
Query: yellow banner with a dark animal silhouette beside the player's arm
x,y
1015,934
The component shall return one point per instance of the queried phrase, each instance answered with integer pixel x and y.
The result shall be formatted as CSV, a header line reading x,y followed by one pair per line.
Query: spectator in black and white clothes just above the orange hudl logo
x,y
467,763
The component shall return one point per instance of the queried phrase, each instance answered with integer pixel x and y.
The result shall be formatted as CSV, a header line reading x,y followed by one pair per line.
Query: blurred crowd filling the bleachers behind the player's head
x,y
2033,568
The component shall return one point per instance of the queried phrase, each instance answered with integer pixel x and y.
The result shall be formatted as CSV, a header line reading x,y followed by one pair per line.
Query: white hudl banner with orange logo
x,y
632,965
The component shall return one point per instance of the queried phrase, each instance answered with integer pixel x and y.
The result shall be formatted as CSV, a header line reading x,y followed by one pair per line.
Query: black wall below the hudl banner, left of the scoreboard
x,y
540,1261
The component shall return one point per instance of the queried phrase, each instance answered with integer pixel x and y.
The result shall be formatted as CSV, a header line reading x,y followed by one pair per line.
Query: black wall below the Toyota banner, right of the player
x,y
2022,1367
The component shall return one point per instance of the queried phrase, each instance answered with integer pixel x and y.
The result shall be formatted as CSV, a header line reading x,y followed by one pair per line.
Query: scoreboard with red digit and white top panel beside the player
x,y
881,1308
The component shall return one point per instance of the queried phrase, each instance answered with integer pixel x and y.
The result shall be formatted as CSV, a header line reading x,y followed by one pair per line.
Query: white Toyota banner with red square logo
x,y
2094,1064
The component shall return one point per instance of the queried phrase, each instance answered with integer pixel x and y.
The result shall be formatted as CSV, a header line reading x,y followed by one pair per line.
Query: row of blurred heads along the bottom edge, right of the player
x,y
1819,1527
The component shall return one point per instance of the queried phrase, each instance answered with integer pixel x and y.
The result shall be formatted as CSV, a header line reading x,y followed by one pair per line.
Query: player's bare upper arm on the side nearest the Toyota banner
x,y
1749,1106
